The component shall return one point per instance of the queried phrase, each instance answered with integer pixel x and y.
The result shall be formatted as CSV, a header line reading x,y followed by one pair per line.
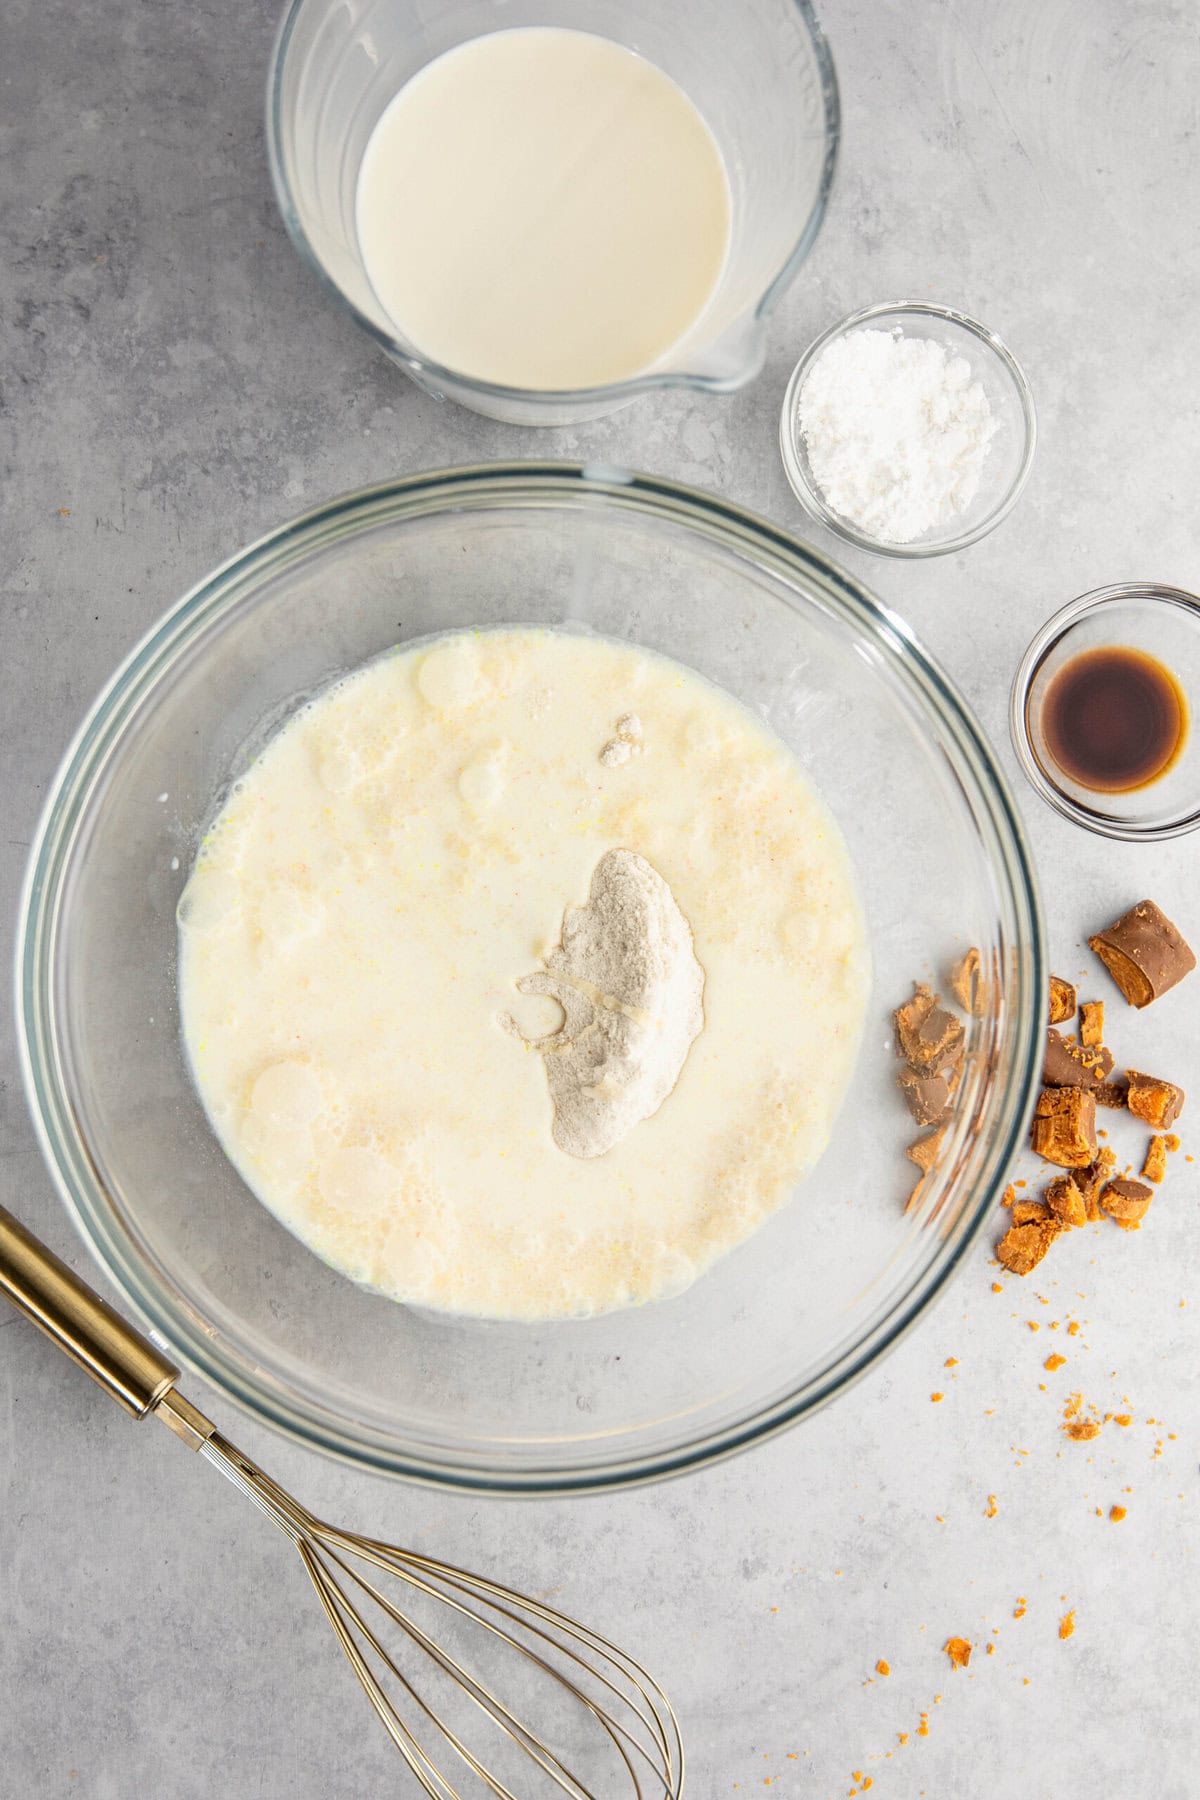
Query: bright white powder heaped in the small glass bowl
x,y
897,433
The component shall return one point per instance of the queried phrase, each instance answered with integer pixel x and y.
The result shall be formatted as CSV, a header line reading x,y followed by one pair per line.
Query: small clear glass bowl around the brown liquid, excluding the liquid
x,y
1165,622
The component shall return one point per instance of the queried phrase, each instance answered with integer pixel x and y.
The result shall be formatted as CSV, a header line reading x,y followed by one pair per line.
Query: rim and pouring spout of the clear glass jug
x,y
427,370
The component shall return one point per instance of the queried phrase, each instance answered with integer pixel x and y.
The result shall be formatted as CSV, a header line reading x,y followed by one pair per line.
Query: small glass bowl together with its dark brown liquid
x,y
1102,712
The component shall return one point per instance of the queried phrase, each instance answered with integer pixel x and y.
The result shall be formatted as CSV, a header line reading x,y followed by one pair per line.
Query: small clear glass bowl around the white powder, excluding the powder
x,y
1010,456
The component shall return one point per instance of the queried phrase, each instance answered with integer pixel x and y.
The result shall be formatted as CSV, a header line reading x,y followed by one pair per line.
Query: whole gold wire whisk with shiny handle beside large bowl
x,y
609,1729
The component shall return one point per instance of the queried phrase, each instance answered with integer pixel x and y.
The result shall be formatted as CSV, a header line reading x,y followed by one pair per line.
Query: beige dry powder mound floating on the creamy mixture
x,y
632,996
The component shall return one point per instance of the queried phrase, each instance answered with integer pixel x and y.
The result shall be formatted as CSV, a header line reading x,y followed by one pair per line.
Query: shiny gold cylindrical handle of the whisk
x,y
73,1317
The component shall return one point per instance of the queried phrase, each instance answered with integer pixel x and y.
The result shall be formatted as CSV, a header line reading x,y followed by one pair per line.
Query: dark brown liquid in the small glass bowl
x,y
1115,719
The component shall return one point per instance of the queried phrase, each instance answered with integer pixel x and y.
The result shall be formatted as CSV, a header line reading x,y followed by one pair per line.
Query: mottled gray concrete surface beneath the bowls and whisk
x,y
174,384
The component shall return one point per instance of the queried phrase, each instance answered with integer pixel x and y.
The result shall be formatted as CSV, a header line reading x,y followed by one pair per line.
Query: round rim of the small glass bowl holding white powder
x,y
812,501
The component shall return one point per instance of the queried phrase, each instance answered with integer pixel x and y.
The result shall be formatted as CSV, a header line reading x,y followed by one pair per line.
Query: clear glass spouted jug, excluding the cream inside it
x,y
760,73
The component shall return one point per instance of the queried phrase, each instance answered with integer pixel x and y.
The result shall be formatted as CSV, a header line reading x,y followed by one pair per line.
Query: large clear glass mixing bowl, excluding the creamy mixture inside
x,y
773,1331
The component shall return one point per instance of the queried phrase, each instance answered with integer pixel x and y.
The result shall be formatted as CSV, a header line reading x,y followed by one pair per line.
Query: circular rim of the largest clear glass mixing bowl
x,y
152,1290
